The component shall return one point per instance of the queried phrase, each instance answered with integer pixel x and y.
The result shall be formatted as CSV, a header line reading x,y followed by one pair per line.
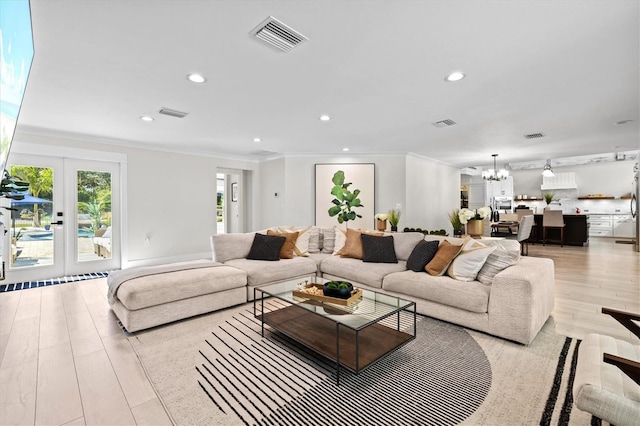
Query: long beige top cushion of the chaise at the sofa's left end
x,y
157,289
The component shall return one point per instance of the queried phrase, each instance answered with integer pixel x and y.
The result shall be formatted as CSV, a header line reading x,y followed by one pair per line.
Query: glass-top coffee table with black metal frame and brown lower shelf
x,y
354,336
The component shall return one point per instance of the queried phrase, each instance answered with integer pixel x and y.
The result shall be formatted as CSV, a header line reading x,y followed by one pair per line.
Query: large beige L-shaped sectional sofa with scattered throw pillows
x,y
513,304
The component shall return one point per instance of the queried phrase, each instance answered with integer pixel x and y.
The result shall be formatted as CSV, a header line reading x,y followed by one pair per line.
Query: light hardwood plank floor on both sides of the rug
x,y
66,361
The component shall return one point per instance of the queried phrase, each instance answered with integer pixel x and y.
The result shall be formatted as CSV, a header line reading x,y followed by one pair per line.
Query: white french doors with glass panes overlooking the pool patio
x,y
68,223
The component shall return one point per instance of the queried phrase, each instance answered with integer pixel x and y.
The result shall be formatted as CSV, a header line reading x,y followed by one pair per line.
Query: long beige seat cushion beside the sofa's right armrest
x,y
470,296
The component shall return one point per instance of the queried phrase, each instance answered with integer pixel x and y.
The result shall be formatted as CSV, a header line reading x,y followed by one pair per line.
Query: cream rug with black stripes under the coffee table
x,y
217,369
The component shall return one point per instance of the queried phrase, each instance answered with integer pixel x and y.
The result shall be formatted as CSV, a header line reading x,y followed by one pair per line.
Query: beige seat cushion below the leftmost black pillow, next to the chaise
x,y
260,272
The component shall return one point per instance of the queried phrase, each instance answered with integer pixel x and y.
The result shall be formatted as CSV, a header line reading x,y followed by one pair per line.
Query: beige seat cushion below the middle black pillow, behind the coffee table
x,y
355,270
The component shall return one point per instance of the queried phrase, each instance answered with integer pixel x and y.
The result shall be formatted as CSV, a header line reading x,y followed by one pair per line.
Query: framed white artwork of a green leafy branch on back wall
x,y
360,176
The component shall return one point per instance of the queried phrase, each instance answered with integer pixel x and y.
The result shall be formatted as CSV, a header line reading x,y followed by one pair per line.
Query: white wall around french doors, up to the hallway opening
x,y
170,199
